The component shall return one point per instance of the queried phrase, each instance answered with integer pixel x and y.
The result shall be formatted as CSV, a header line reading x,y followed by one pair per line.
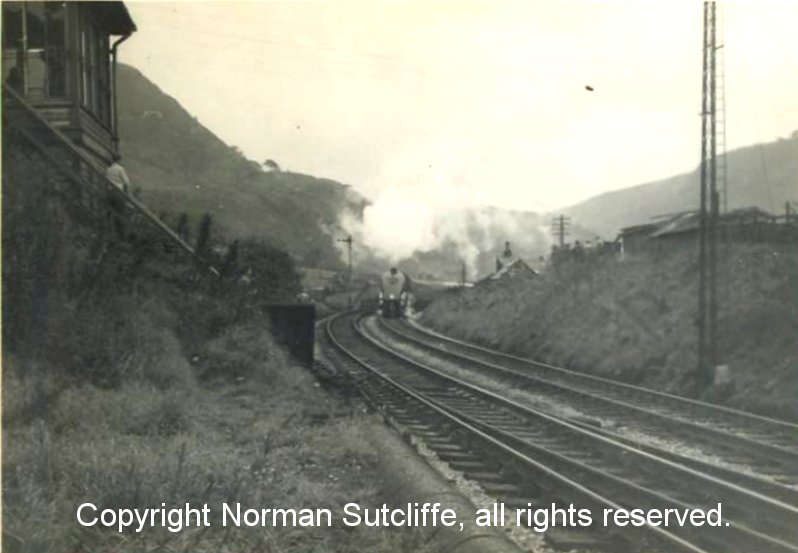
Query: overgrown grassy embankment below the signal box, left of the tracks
x,y
130,380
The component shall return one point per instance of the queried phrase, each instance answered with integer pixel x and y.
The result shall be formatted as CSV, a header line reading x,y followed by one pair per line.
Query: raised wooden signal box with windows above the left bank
x,y
61,58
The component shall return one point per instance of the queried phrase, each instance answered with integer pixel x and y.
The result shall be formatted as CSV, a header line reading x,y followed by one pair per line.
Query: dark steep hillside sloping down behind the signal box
x,y
182,167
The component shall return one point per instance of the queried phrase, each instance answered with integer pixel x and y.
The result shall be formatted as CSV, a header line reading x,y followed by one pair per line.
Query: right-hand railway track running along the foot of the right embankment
x,y
767,446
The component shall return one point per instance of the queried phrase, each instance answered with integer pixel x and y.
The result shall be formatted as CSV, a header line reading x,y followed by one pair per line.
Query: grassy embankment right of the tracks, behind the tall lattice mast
x,y
635,321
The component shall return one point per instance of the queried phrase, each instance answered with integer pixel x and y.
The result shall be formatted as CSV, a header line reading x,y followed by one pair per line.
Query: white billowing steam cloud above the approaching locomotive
x,y
434,218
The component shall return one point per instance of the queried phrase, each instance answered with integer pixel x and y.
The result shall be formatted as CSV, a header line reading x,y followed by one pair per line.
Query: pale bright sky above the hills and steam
x,y
429,105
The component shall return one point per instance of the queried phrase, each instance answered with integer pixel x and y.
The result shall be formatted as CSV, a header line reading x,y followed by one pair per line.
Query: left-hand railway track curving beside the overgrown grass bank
x,y
528,458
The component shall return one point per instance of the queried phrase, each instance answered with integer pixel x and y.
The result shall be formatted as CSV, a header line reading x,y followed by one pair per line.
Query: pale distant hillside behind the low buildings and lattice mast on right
x,y
765,176
